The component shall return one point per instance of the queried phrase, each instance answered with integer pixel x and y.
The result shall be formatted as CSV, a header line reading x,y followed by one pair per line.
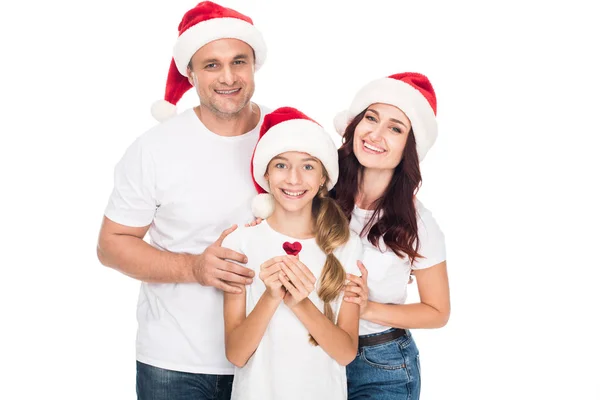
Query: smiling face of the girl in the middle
x,y
294,180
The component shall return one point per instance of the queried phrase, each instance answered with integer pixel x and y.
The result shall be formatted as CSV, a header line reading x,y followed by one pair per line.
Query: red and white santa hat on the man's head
x,y
201,25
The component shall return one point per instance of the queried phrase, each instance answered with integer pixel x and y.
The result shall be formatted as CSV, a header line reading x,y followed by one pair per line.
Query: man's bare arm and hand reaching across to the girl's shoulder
x,y
123,248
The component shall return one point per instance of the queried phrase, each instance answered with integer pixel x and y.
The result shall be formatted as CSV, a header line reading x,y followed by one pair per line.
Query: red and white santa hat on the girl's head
x,y
287,129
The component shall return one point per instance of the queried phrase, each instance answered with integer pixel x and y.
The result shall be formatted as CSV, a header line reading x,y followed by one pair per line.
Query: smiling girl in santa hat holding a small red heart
x,y
289,333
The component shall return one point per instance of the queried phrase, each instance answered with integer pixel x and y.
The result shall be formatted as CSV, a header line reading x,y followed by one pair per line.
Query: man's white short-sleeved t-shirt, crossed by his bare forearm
x,y
190,184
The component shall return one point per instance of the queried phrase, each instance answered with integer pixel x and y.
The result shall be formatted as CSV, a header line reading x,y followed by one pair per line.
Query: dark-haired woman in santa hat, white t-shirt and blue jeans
x,y
387,130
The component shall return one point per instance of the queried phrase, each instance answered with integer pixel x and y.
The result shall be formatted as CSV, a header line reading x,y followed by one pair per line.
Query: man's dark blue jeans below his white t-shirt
x,y
162,384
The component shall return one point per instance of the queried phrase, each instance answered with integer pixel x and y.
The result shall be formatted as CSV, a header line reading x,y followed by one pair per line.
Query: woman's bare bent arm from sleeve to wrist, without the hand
x,y
432,311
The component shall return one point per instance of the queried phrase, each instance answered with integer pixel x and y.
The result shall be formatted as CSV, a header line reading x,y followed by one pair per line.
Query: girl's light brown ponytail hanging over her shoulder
x,y
331,231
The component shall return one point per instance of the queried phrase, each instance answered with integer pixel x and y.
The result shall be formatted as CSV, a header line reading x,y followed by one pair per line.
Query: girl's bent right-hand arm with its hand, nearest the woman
x,y
339,341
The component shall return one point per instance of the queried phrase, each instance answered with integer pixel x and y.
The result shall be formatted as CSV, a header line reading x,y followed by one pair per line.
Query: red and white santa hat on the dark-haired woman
x,y
412,93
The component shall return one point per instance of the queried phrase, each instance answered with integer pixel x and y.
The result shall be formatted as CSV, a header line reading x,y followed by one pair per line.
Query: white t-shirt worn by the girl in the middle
x,y
285,365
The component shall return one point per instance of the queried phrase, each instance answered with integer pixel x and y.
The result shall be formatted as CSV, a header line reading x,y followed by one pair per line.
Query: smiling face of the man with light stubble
x,y
223,74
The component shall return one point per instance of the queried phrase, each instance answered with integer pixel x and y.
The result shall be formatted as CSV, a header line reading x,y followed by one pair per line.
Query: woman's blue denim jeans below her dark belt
x,y
386,371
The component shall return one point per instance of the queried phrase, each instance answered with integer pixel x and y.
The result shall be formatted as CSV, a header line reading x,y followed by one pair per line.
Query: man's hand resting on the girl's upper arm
x,y
211,268
